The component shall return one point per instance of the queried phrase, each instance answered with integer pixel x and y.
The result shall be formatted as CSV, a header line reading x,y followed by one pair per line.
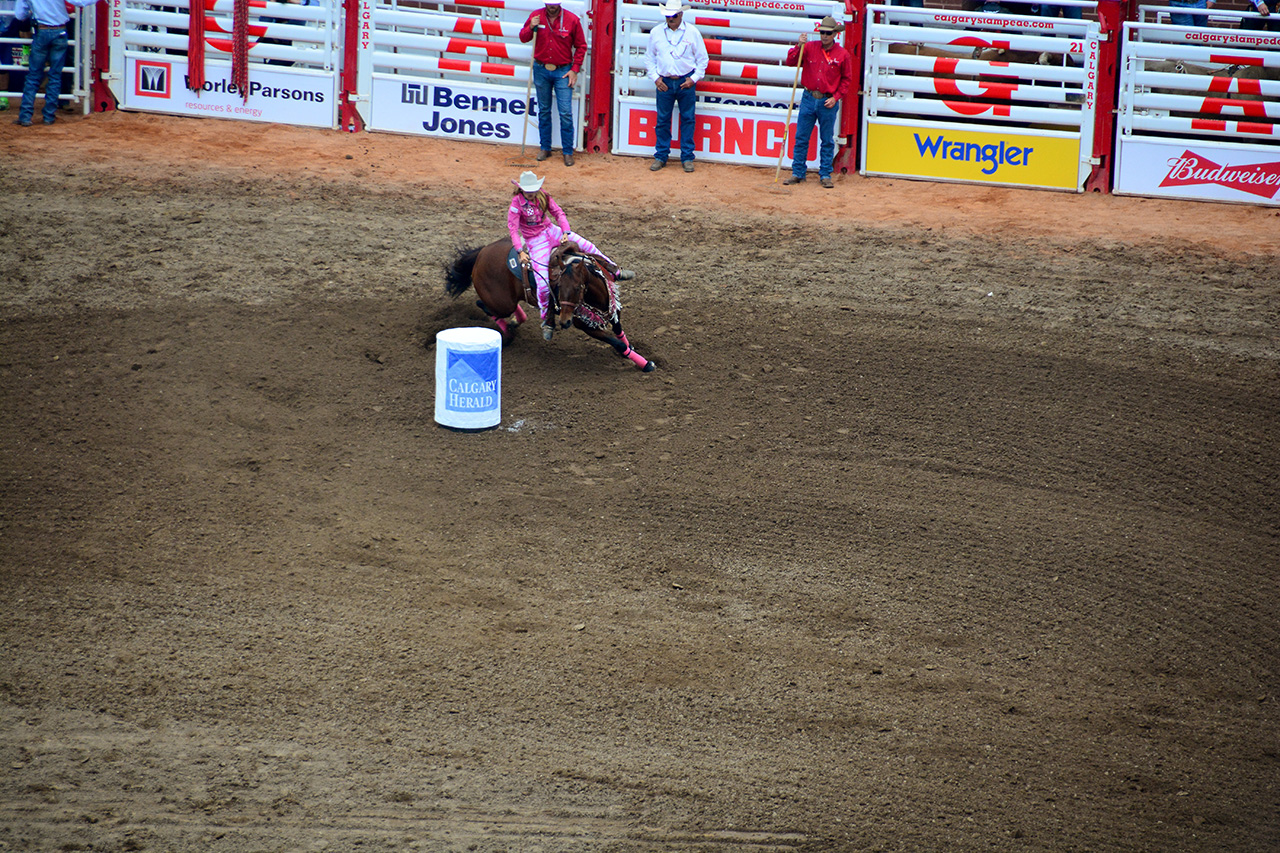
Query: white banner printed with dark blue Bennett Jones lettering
x,y
456,111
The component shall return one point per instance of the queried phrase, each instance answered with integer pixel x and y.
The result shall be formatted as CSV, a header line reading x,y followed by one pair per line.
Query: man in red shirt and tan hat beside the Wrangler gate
x,y
826,72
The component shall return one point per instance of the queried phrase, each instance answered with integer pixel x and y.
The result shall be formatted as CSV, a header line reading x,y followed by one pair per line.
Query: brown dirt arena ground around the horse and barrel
x,y
949,521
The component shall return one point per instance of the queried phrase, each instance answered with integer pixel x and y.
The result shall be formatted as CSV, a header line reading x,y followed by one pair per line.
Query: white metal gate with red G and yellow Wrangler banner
x,y
981,98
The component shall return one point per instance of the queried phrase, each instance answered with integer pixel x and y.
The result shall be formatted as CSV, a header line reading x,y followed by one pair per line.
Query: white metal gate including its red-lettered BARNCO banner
x,y
744,98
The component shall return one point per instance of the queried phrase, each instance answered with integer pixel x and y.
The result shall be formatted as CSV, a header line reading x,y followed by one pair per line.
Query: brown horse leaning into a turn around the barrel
x,y
584,293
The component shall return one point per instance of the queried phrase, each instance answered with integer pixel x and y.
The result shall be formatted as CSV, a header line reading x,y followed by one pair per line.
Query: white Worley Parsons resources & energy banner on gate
x,y
285,97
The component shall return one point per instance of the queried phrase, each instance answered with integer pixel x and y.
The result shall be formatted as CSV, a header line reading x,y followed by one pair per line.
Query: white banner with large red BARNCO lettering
x,y
719,136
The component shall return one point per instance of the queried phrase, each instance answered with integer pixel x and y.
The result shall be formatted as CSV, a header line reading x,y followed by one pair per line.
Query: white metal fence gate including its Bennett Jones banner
x,y
456,71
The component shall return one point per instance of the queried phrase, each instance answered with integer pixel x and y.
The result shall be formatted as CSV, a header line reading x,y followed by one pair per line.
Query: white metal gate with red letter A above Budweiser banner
x,y
1199,112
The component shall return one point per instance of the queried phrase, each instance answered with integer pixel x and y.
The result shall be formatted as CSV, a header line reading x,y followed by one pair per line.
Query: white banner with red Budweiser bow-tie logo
x,y
1178,170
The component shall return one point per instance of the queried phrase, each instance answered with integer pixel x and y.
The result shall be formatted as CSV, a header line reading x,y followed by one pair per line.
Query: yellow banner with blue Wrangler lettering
x,y
948,153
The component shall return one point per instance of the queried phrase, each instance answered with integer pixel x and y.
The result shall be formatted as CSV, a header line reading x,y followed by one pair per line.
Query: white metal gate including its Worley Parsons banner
x,y
294,54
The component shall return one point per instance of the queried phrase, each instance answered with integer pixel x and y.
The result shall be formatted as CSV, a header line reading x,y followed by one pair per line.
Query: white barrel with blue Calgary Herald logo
x,y
469,378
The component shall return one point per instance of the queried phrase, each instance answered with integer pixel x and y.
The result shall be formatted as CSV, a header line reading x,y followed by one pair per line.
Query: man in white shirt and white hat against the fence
x,y
676,61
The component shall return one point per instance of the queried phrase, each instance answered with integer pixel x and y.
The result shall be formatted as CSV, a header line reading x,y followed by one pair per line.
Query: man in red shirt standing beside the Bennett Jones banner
x,y
560,48
